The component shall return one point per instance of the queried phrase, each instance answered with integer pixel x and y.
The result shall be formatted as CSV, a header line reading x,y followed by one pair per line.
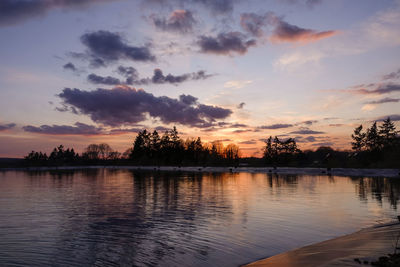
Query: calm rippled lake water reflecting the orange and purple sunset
x,y
124,218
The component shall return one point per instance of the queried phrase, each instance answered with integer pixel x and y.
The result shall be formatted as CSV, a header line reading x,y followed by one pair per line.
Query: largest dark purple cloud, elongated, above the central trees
x,y
125,105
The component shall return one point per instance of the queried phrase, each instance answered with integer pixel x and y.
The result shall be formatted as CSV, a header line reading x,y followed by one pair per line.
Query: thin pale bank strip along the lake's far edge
x,y
271,170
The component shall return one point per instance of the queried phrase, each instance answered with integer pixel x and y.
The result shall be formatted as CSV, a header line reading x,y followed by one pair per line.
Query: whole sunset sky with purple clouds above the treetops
x,y
77,72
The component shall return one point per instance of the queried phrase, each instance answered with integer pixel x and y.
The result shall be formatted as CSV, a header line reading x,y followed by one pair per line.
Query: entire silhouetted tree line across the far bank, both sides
x,y
377,146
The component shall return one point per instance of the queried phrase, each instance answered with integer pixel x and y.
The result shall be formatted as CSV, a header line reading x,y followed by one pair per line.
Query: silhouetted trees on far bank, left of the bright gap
x,y
147,149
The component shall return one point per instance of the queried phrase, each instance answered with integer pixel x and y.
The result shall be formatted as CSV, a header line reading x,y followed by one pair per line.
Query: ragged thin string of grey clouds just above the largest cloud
x,y
158,77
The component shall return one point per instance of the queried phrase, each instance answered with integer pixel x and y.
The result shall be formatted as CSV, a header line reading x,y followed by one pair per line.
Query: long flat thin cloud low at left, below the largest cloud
x,y
78,129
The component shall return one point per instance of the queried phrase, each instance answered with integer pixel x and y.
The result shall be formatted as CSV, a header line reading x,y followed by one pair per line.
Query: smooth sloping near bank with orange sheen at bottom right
x,y
365,245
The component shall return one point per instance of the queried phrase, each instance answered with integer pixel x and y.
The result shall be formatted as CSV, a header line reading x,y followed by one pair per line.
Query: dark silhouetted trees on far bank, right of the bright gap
x,y
376,147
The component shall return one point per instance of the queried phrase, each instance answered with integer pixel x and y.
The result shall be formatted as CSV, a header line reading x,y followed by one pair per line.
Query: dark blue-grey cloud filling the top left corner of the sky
x,y
16,11
